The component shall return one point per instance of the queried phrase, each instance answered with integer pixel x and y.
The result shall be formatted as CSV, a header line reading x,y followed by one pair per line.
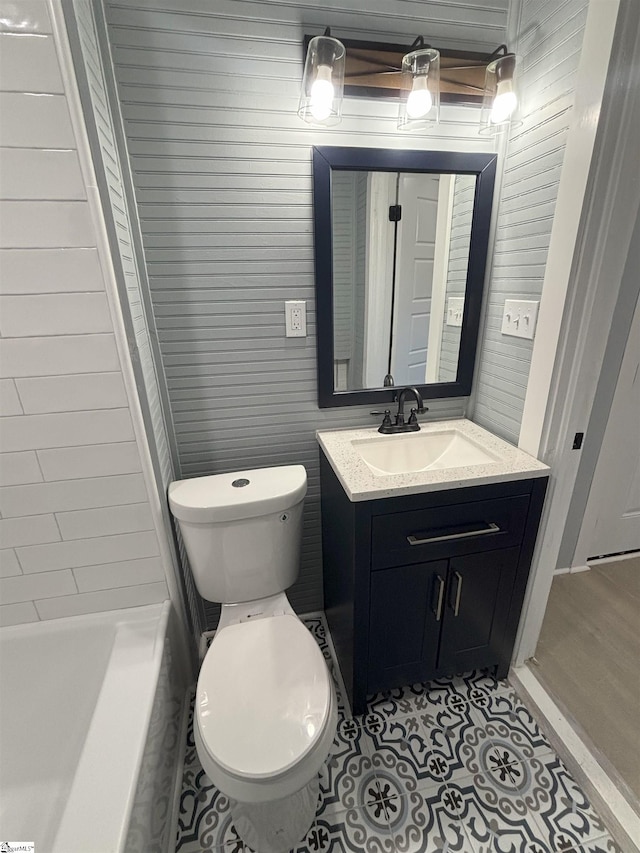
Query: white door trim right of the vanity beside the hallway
x,y
609,214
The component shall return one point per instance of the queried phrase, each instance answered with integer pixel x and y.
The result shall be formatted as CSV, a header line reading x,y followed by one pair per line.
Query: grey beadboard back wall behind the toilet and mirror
x,y
222,170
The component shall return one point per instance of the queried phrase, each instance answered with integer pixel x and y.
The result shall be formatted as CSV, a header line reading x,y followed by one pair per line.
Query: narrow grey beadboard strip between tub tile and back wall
x,y
114,178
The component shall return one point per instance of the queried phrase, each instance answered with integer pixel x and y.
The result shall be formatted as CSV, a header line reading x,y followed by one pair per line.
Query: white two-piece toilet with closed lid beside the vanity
x,y
265,712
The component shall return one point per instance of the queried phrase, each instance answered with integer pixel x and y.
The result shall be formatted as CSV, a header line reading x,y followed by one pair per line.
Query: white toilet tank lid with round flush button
x,y
238,495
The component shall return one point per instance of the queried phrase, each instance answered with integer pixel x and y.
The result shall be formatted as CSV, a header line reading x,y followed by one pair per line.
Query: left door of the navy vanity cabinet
x,y
404,623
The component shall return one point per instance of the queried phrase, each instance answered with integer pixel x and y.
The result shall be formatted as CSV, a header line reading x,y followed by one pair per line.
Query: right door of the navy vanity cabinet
x,y
478,597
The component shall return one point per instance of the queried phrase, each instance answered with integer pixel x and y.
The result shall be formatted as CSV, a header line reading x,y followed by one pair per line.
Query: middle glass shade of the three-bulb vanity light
x,y
420,98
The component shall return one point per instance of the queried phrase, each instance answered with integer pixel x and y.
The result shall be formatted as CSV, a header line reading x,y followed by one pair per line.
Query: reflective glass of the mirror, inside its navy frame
x,y
400,262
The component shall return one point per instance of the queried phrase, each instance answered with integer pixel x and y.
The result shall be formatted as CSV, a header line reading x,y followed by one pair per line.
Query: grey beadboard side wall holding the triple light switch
x,y
549,46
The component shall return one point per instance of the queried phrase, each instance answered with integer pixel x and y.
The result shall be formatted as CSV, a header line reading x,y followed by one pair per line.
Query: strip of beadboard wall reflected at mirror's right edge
x,y
461,215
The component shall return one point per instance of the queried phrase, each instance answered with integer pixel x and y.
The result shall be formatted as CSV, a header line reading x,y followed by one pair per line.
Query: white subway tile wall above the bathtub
x,y
76,528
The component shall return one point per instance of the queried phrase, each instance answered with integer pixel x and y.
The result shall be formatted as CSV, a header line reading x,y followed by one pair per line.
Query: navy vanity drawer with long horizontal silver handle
x,y
401,538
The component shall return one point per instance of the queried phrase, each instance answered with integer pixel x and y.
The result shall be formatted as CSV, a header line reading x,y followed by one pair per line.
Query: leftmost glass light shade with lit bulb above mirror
x,y
322,82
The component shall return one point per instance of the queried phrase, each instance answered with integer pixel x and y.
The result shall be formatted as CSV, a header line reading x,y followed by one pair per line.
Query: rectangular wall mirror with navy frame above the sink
x,y
401,242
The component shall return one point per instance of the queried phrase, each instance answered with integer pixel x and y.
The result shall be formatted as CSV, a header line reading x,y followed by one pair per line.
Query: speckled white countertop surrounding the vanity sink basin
x,y
361,484
